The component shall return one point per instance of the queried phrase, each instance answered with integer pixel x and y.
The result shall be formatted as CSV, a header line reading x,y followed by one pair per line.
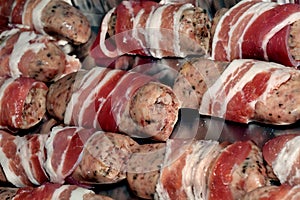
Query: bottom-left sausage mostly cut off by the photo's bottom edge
x,y
50,191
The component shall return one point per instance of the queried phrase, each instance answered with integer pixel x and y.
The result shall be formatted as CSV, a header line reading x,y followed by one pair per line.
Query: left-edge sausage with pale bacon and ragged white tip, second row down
x,y
28,54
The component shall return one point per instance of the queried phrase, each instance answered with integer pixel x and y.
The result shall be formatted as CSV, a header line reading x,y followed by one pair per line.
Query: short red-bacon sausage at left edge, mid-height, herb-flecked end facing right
x,y
22,102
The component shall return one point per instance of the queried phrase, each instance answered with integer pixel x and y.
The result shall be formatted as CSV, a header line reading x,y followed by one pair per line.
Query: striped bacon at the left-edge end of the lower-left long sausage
x,y
21,162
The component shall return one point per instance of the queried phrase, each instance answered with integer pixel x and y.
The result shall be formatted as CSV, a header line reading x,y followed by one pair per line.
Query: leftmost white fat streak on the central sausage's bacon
x,y
82,85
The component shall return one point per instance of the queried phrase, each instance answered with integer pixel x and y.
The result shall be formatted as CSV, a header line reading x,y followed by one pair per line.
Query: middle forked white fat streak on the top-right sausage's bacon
x,y
256,9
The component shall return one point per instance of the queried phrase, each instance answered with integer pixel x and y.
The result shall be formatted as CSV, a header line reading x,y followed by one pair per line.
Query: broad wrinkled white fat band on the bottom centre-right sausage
x,y
196,167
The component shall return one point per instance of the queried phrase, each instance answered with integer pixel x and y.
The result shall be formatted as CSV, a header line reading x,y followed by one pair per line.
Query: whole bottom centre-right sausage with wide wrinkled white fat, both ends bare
x,y
203,169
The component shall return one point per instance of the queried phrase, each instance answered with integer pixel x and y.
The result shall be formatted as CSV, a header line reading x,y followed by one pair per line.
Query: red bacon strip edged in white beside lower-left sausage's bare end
x,y
64,149
